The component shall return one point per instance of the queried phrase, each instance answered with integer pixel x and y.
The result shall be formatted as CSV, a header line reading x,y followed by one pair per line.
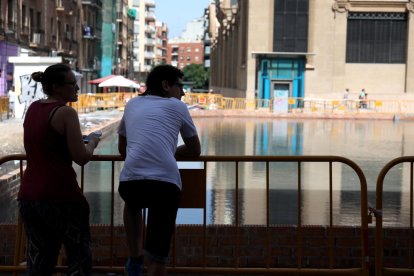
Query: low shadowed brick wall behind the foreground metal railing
x,y
249,246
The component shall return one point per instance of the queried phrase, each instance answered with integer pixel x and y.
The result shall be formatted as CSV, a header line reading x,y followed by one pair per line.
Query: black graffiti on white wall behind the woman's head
x,y
30,91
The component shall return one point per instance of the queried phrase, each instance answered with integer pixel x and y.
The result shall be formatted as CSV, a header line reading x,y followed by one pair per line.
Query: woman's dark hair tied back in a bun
x,y
54,74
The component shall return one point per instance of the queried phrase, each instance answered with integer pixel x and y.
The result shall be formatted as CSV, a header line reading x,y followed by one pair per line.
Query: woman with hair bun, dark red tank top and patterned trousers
x,y
51,203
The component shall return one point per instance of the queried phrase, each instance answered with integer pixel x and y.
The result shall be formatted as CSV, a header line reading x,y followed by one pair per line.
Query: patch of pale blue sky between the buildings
x,y
177,13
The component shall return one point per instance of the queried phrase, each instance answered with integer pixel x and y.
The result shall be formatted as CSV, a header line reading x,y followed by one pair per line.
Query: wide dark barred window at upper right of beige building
x,y
376,37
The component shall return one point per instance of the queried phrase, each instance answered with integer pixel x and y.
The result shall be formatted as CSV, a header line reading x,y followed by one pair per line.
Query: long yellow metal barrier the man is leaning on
x,y
194,195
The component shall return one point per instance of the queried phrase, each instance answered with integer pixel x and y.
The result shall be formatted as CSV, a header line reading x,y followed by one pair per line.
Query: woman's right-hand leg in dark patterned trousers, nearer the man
x,y
77,239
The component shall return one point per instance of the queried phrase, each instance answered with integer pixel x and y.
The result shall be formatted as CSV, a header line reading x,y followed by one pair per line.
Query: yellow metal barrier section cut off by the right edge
x,y
379,216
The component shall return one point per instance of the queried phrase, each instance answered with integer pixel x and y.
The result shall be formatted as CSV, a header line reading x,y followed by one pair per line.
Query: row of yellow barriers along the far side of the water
x,y
92,102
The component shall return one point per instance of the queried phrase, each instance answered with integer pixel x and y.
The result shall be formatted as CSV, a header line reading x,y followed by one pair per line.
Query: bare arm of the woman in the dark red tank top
x,y
66,122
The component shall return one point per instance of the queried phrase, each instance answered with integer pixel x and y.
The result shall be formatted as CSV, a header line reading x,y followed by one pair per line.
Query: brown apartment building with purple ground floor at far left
x,y
38,28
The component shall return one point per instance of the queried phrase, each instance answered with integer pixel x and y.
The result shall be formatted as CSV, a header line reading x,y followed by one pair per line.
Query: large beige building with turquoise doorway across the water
x,y
312,48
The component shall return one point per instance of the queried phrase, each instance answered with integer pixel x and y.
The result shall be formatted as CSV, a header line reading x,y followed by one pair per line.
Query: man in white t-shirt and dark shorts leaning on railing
x,y
148,138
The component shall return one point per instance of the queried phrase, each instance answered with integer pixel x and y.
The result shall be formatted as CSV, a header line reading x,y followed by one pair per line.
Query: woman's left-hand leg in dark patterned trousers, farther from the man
x,y
41,222
